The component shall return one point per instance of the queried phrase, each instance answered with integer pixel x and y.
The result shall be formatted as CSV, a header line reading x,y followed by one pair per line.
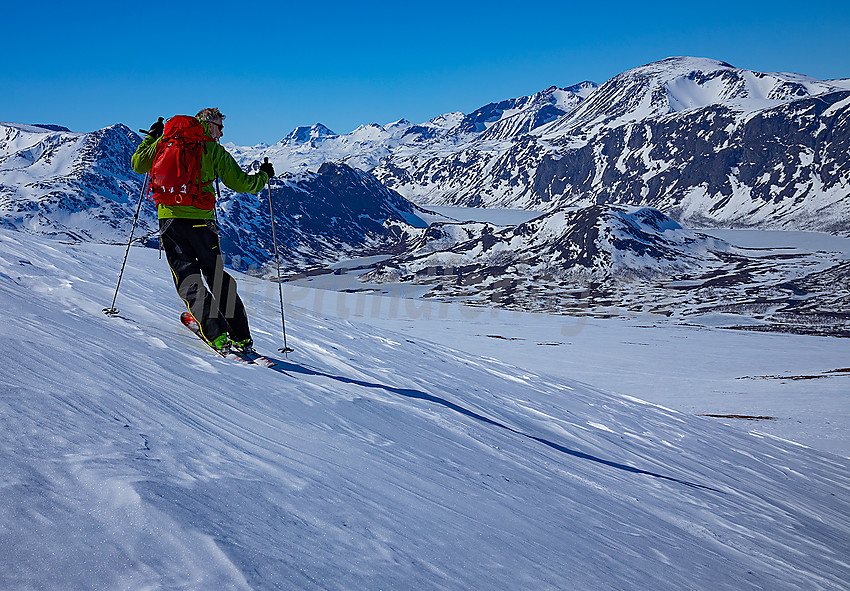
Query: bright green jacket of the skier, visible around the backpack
x,y
216,162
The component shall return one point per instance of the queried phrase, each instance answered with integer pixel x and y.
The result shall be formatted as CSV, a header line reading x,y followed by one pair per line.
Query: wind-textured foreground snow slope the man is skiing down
x,y
134,458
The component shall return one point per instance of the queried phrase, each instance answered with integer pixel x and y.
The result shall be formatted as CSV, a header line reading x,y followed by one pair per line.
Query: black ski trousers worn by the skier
x,y
193,252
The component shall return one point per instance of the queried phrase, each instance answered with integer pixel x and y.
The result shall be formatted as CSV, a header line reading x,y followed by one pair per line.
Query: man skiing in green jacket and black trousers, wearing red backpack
x,y
186,211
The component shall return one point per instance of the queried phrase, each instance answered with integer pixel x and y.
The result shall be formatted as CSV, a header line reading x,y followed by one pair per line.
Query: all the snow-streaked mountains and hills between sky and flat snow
x,y
618,172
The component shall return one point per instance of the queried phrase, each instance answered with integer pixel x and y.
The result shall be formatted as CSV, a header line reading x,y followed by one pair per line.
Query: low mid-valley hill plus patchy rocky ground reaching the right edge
x,y
615,259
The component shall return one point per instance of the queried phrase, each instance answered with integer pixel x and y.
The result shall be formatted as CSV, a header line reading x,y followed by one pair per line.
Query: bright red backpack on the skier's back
x,y
176,171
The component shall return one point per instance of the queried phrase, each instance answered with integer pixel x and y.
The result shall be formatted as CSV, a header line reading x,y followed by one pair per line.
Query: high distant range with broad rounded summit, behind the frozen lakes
x,y
707,143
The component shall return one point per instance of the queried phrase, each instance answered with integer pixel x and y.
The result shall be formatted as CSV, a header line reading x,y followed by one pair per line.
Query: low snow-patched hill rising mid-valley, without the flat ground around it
x,y
598,242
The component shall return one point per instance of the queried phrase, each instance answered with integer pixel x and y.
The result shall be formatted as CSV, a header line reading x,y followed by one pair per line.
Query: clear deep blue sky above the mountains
x,y
274,66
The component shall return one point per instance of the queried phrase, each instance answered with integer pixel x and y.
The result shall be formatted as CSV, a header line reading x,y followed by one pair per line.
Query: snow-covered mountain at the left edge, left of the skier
x,y
76,185
